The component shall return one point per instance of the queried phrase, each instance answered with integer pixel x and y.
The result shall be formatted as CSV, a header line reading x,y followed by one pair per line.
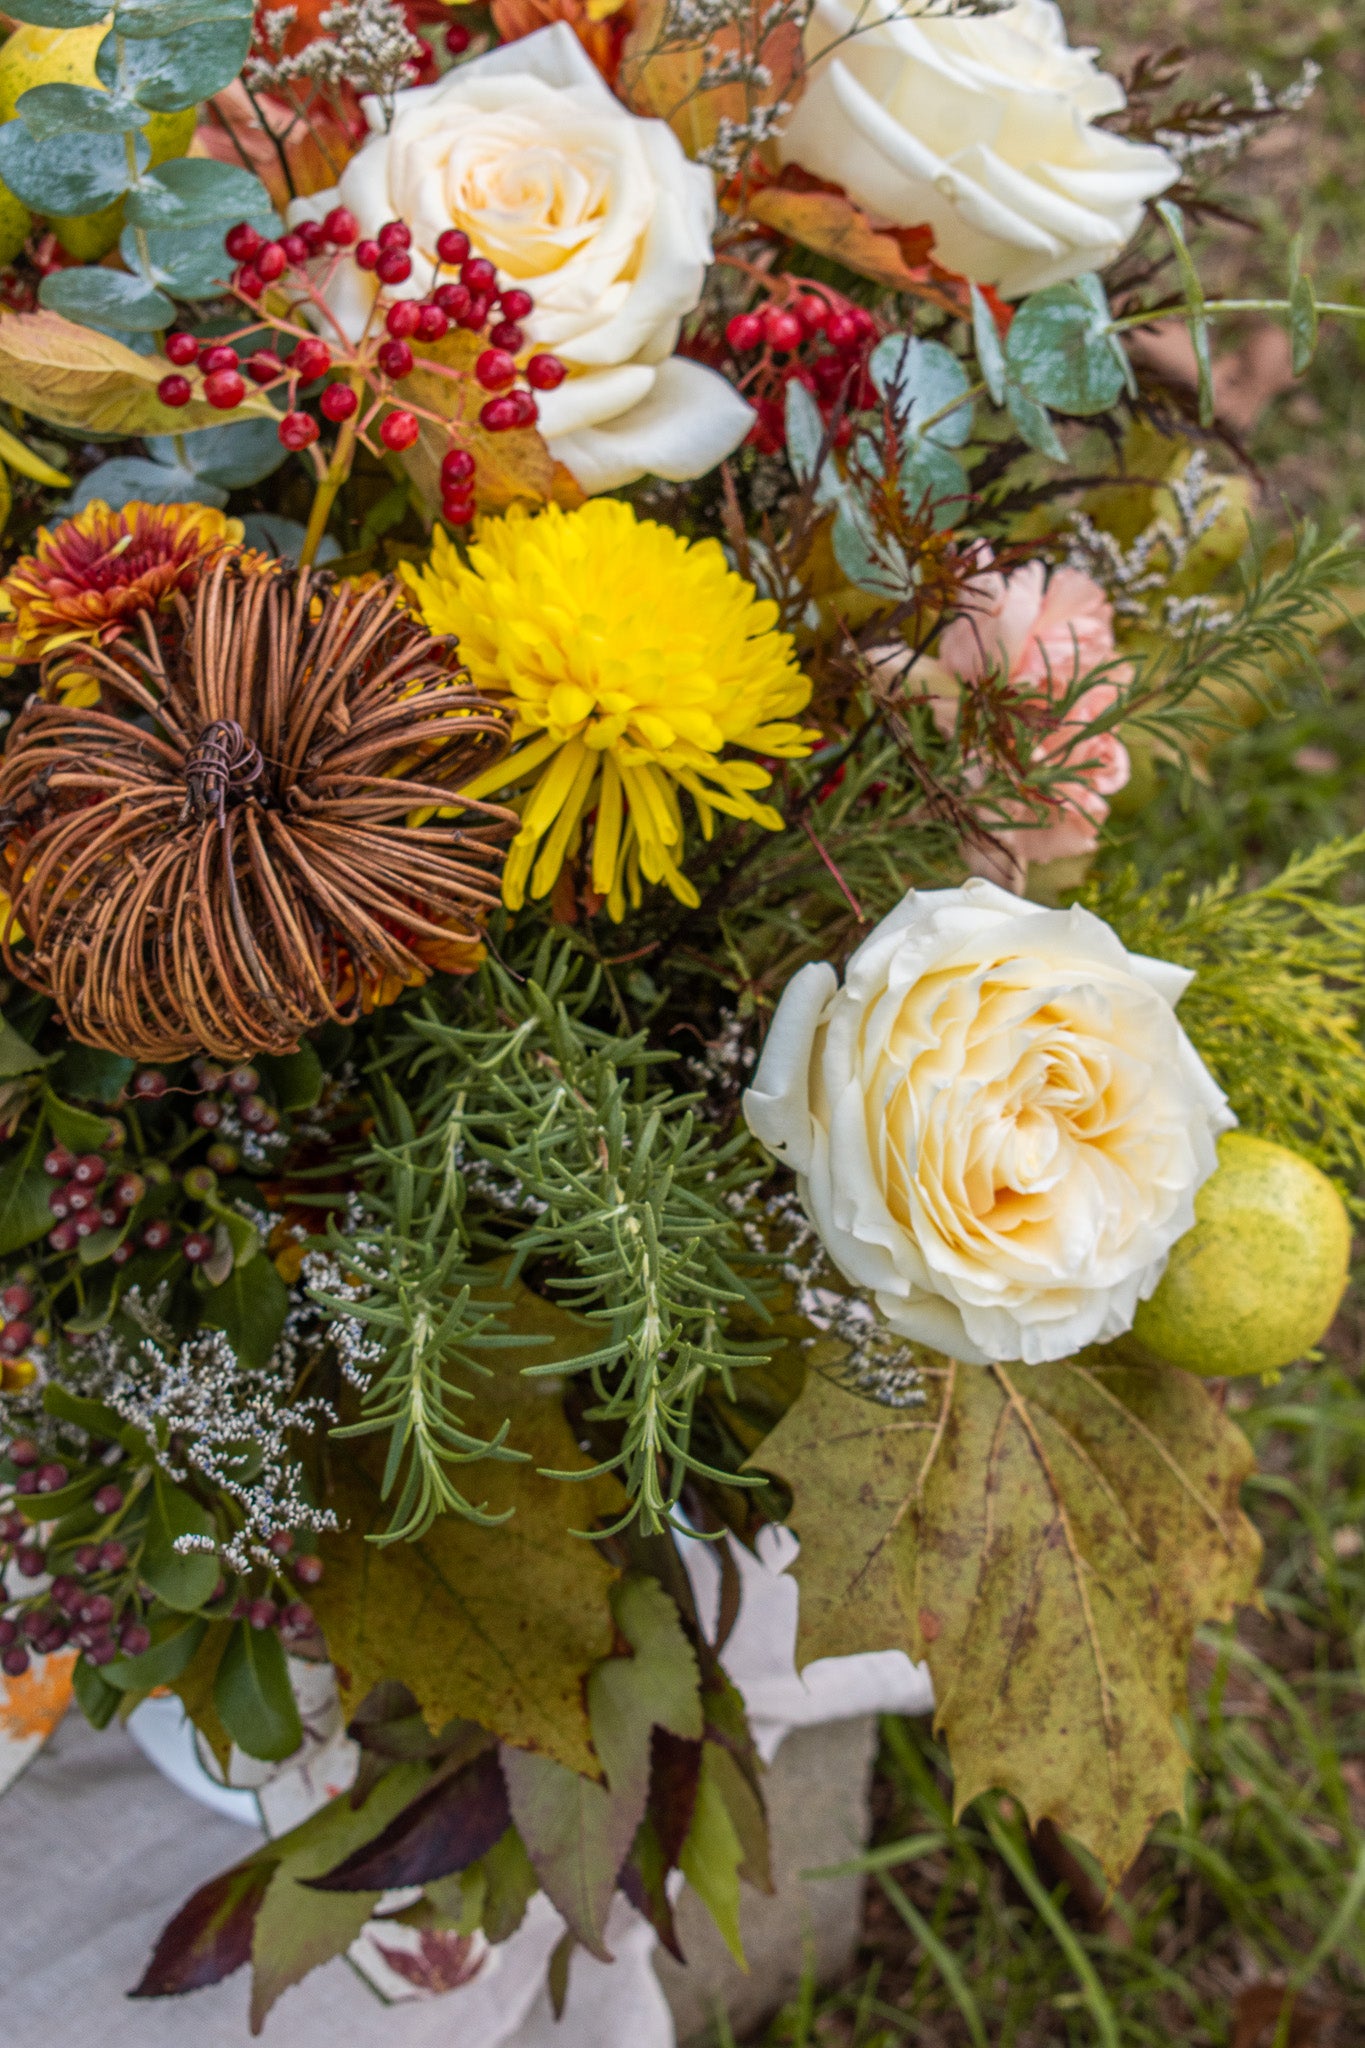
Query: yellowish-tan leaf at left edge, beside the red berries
x,y
91,384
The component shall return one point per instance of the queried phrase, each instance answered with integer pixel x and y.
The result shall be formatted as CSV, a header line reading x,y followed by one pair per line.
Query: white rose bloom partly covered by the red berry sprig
x,y
595,212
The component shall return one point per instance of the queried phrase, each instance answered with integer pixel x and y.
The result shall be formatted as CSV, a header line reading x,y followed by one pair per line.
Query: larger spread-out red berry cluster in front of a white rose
x,y
470,300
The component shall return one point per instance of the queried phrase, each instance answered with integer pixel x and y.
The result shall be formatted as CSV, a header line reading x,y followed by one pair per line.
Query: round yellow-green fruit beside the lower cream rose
x,y
1260,1277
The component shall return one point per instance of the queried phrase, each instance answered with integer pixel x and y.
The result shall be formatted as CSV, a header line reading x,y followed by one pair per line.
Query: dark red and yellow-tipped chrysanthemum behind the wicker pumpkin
x,y
93,574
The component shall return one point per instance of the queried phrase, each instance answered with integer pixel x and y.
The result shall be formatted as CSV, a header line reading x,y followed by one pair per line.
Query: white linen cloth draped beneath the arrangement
x,y
101,1850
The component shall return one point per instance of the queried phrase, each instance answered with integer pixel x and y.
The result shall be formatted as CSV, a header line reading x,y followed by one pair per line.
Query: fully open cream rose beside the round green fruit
x,y
998,1123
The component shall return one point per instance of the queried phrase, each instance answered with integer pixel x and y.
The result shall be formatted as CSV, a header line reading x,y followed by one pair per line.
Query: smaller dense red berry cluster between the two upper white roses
x,y
822,343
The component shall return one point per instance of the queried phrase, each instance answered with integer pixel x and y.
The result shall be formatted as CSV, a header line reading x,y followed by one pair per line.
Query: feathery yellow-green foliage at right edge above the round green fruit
x,y
1278,1002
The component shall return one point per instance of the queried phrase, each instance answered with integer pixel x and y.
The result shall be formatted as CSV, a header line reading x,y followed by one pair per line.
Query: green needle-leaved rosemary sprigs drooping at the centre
x,y
529,1134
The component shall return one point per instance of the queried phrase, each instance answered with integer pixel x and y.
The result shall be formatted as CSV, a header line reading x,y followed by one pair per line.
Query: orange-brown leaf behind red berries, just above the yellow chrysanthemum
x,y
515,468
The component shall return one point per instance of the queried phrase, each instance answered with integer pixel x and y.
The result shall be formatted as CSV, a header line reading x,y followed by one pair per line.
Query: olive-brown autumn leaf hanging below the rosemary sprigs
x,y
492,1625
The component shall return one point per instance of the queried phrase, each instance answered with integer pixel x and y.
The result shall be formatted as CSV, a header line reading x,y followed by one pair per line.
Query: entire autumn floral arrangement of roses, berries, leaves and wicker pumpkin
x,y
592,597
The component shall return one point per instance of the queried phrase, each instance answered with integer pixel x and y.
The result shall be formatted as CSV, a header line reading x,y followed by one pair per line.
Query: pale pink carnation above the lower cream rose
x,y
1047,634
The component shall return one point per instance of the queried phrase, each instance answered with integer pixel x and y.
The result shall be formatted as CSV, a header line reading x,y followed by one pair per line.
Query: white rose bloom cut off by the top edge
x,y
979,126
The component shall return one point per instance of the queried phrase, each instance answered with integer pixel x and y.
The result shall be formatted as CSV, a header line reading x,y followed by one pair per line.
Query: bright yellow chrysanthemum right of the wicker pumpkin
x,y
631,663
